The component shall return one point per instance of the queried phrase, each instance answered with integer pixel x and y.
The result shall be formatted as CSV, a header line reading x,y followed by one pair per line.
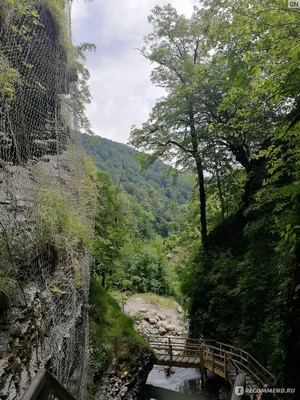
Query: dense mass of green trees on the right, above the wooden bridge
x,y
230,116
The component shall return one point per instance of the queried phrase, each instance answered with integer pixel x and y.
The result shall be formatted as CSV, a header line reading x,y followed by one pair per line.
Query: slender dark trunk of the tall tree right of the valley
x,y
200,178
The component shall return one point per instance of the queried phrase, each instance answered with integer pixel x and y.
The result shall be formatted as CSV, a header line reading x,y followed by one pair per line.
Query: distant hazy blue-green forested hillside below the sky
x,y
154,189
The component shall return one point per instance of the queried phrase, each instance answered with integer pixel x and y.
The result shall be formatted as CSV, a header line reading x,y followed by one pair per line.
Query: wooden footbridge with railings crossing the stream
x,y
222,359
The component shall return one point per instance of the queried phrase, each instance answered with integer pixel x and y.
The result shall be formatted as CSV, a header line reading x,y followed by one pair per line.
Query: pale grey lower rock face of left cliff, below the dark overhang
x,y
43,314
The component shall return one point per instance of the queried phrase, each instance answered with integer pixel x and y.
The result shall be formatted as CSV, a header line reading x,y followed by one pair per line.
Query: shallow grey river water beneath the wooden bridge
x,y
184,384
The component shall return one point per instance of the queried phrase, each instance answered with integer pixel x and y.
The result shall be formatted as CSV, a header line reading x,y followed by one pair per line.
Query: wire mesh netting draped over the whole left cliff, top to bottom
x,y
46,202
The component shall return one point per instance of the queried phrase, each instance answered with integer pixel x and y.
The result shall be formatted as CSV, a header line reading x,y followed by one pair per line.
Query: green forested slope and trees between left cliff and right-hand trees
x,y
140,214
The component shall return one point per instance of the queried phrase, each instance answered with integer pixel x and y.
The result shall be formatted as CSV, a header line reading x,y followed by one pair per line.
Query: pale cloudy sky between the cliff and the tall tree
x,y
120,85
